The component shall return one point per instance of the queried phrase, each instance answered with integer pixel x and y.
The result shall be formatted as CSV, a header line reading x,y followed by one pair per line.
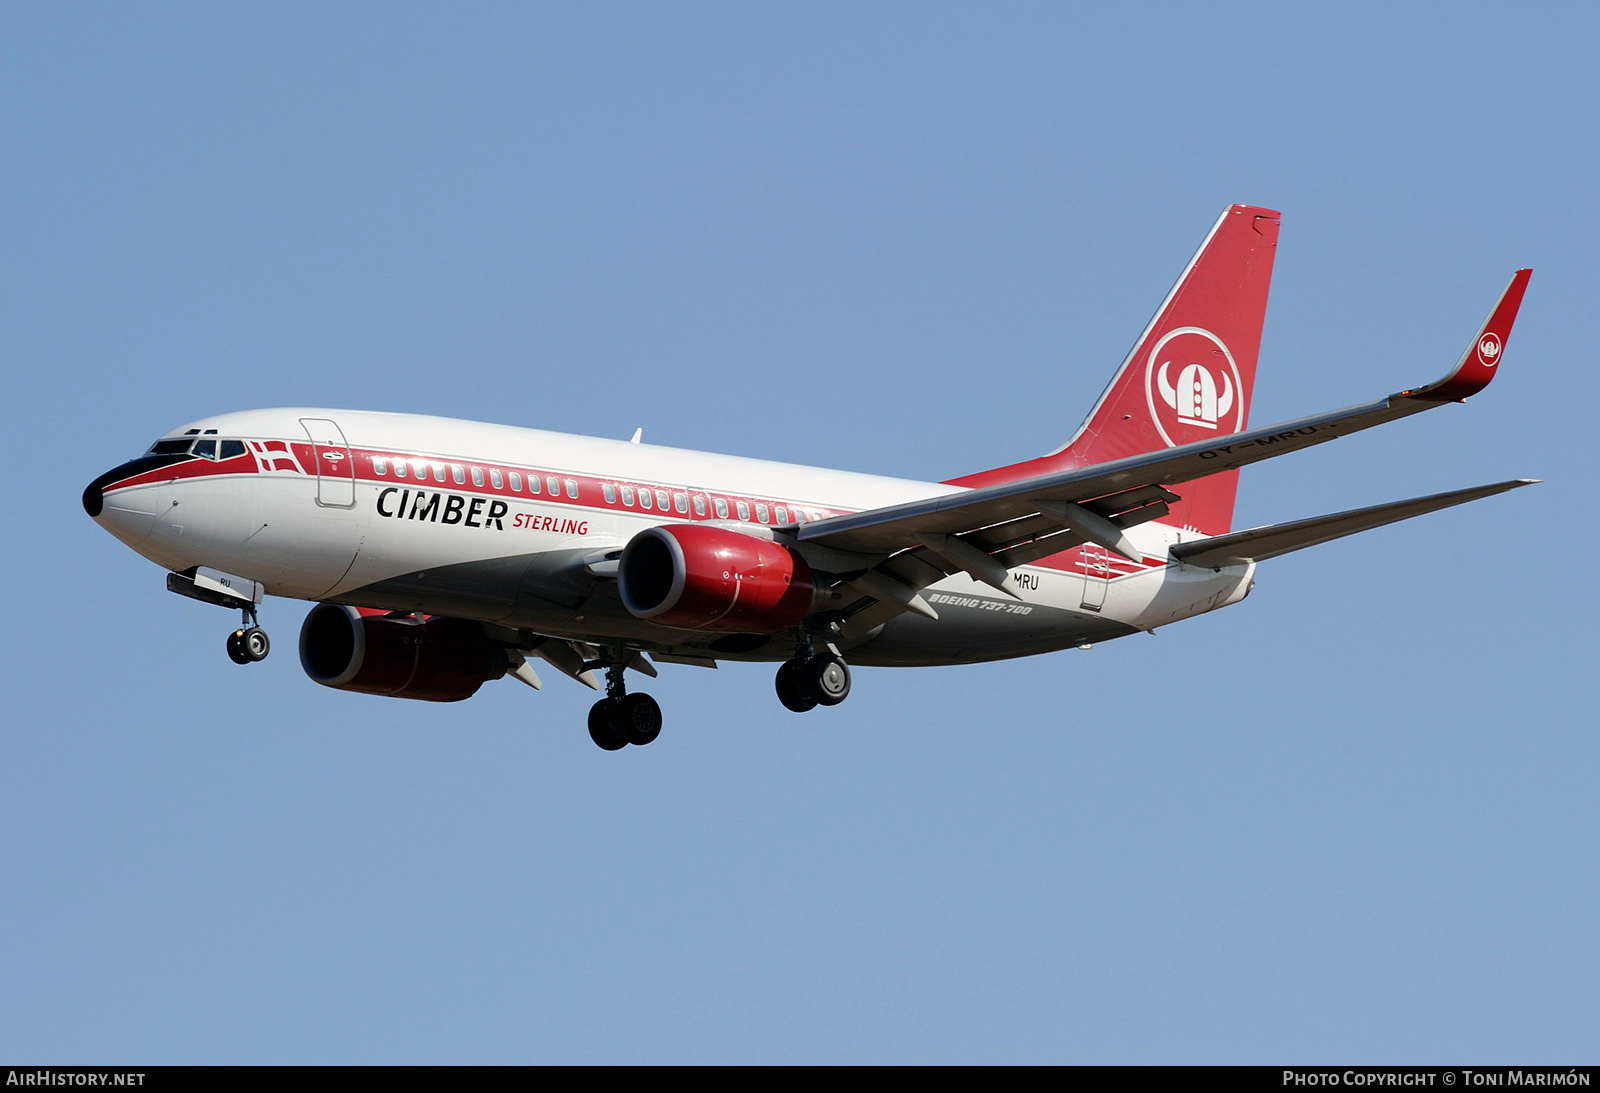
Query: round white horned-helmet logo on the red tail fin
x,y
1193,385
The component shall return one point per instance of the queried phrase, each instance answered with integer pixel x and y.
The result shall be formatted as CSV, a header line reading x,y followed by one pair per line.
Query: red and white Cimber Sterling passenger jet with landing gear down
x,y
444,555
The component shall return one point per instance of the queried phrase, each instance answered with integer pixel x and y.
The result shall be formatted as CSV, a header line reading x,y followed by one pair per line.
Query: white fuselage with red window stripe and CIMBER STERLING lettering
x,y
503,526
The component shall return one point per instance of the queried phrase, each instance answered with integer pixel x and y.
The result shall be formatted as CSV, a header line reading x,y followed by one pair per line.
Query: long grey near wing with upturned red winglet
x,y
994,529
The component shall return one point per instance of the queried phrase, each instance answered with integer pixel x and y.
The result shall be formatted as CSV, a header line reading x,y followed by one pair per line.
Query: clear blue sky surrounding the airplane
x,y
1351,819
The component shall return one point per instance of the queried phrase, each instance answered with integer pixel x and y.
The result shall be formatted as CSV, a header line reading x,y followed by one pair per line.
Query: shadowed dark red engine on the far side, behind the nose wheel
x,y
439,660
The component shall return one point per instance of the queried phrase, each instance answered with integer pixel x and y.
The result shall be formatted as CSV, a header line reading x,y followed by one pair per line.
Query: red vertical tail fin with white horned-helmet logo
x,y
1191,374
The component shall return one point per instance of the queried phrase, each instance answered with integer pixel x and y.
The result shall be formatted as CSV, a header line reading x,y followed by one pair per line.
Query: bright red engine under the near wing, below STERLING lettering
x,y
708,579
